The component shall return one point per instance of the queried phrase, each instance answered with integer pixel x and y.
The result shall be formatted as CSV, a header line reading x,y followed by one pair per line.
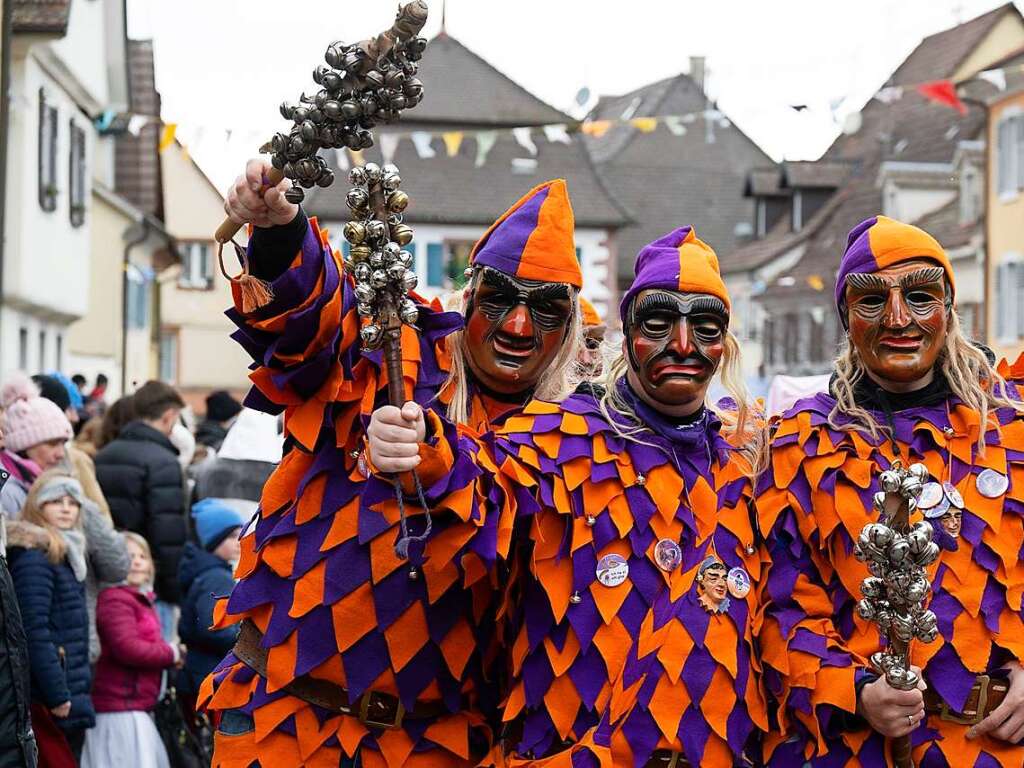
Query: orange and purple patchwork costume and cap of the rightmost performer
x,y
814,502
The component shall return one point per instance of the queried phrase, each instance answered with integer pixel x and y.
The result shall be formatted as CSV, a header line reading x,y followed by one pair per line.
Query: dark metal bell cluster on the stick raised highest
x,y
357,94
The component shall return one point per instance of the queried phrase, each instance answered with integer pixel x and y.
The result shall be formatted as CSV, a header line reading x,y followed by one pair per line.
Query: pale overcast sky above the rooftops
x,y
226,65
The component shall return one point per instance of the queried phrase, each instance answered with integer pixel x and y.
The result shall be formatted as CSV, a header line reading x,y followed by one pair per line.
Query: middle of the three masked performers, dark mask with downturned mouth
x,y
628,607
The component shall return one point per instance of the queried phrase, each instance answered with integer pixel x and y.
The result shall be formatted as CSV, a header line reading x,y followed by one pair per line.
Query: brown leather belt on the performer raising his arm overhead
x,y
374,709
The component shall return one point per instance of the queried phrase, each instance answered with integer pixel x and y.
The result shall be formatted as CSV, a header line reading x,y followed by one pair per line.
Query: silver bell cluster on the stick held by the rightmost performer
x,y
895,593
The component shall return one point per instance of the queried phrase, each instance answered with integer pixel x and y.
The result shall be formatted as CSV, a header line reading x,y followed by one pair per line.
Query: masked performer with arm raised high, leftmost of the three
x,y
349,655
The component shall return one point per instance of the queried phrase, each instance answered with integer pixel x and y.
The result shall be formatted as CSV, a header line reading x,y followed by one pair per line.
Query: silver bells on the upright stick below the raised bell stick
x,y
377,261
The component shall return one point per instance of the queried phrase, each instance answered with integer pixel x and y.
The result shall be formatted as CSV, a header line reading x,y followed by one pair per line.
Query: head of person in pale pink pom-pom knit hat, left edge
x,y
35,434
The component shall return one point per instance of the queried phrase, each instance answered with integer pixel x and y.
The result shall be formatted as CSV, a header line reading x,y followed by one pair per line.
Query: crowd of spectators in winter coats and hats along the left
x,y
119,529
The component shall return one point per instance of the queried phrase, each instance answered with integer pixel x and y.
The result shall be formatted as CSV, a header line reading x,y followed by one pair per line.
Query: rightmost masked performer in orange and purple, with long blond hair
x,y
909,387
